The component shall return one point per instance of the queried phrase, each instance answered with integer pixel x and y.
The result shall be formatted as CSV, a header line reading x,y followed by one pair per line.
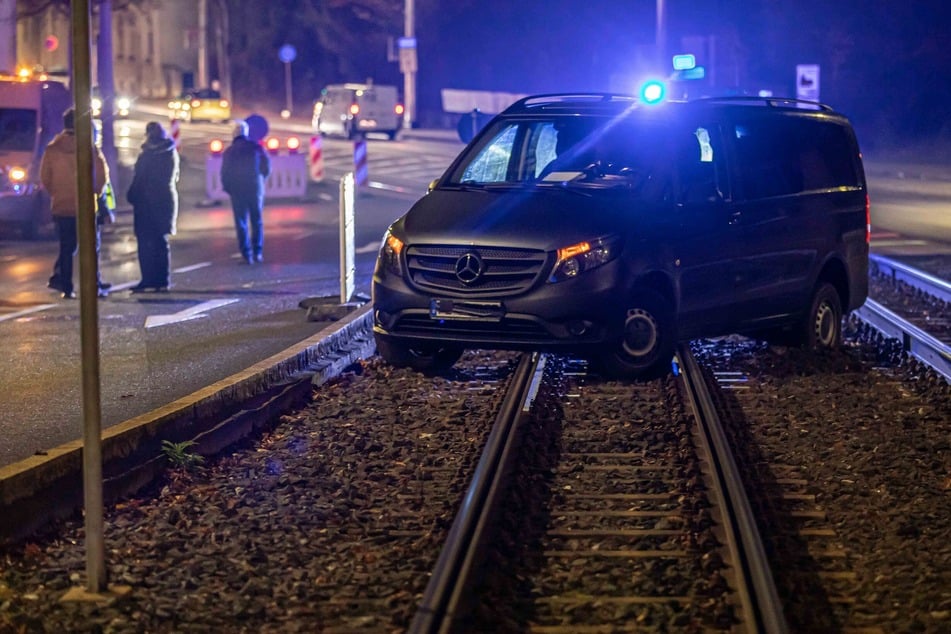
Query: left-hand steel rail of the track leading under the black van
x,y
443,605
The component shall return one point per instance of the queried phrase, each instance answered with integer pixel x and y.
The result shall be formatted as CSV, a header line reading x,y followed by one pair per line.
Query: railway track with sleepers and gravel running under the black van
x,y
620,509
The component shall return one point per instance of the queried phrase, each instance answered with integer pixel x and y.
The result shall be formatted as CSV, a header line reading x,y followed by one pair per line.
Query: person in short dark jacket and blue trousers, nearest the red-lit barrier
x,y
244,167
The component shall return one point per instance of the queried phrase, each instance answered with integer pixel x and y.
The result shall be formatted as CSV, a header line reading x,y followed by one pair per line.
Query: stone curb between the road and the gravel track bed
x,y
40,489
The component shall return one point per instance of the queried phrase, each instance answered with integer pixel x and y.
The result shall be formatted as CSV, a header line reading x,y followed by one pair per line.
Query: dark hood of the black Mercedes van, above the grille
x,y
545,218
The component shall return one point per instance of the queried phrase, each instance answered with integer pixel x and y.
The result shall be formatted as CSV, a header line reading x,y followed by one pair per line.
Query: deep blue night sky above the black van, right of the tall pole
x,y
885,63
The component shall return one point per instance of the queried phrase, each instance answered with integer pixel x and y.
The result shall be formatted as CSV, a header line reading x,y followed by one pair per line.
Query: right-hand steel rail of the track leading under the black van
x,y
757,590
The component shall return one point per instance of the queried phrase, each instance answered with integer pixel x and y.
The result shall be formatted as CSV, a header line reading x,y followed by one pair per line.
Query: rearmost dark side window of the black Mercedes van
x,y
780,158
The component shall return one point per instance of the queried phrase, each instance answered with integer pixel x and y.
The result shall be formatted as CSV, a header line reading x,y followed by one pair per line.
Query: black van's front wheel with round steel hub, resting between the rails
x,y
646,348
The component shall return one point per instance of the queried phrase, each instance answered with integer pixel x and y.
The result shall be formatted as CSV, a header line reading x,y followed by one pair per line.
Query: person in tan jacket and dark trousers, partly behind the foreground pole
x,y
58,175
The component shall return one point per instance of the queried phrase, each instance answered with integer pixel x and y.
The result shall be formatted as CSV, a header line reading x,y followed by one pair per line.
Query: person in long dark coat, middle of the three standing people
x,y
154,198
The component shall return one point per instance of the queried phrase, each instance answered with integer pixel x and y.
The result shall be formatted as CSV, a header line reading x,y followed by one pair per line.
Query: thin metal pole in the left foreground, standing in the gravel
x,y
88,296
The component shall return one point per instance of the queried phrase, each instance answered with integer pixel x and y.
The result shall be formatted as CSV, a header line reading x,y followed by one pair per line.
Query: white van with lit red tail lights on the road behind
x,y
353,110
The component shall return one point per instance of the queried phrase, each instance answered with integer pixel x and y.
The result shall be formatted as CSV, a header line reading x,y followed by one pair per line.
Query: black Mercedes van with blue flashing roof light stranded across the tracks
x,y
603,226
